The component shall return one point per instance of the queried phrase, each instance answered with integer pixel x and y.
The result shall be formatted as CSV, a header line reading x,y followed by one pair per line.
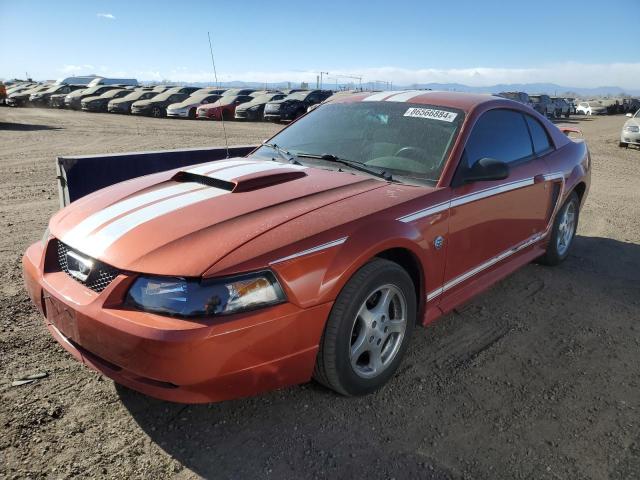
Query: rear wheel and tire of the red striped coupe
x,y
563,232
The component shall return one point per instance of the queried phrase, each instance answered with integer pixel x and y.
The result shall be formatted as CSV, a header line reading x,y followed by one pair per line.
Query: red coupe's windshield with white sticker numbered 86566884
x,y
405,140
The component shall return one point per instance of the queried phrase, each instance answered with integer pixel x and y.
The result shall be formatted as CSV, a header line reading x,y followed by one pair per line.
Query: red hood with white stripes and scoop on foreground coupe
x,y
162,225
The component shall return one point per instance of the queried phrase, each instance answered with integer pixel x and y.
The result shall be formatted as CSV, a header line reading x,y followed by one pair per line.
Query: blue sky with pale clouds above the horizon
x,y
573,43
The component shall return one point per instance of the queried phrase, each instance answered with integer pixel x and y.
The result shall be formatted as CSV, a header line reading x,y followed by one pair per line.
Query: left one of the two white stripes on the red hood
x,y
78,233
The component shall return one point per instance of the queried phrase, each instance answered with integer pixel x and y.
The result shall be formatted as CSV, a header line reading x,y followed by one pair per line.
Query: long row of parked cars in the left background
x,y
172,101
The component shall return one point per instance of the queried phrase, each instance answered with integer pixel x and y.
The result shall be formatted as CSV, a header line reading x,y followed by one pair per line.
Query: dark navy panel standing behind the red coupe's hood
x,y
79,176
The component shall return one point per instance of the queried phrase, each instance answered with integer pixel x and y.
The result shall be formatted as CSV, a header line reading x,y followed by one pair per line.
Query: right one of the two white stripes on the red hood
x,y
96,244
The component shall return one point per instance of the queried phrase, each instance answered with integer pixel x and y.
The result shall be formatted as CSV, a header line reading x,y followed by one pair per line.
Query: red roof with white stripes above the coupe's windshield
x,y
462,101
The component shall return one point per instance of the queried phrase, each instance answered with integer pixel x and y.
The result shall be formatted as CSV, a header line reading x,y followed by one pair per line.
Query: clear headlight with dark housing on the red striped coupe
x,y
183,297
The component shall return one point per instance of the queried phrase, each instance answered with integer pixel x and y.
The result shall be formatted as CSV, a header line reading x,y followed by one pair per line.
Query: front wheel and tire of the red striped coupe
x,y
368,329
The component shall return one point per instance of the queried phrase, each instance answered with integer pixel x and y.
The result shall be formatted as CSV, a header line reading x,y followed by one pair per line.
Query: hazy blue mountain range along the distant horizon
x,y
548,88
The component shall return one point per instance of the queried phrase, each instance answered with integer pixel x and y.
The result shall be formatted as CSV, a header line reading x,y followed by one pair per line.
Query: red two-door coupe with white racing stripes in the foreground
x,y
315,256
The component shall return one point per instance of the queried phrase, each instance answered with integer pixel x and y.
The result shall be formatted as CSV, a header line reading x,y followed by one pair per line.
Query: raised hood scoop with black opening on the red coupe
x,y
246,183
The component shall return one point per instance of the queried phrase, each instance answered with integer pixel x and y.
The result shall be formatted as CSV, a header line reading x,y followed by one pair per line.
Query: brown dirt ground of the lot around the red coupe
x,y
537,378
